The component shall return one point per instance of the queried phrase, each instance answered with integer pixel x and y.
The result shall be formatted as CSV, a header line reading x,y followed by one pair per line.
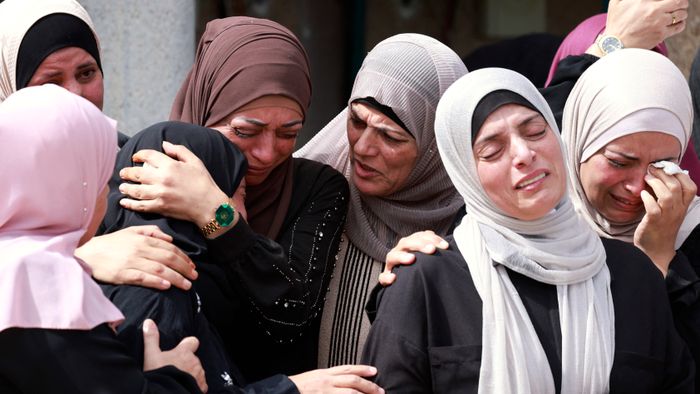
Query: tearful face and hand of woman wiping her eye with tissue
x,y
620,183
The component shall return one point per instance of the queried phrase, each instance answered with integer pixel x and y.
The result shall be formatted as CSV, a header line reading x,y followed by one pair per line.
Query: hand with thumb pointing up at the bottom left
x,y
182,356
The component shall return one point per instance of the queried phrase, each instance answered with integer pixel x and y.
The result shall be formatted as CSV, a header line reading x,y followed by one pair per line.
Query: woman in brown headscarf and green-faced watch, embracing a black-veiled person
x,y
250,81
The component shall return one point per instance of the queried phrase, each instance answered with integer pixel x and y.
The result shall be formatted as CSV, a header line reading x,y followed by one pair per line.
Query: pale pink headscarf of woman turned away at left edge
x,y
57,152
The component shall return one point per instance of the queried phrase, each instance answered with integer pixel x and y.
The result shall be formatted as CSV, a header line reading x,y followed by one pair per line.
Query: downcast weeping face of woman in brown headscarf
x,y
265,135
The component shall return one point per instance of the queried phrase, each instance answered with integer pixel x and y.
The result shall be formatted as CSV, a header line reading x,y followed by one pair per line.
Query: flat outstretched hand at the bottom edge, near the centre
x,y
340,379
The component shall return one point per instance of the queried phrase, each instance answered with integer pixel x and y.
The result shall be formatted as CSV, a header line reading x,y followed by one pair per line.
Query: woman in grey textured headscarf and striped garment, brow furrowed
x,y
384,143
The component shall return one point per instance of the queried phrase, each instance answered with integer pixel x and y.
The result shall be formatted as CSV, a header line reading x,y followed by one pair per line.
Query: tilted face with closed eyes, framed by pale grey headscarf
x,y
519,162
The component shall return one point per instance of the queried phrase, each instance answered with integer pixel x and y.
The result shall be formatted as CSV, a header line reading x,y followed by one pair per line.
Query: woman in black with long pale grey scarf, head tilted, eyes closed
x,y
527,298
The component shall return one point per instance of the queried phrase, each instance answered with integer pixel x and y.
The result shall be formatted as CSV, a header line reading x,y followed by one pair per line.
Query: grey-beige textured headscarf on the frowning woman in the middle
x,y
409,73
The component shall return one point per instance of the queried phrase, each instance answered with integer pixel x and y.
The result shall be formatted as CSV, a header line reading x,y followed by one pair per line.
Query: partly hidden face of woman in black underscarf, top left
x,y
73,69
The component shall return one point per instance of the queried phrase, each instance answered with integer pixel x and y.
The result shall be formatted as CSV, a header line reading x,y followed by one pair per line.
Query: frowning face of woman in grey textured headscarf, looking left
x,y
382,153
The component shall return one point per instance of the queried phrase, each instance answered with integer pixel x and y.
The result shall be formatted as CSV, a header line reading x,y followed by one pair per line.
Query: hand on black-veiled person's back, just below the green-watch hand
x,y
139,255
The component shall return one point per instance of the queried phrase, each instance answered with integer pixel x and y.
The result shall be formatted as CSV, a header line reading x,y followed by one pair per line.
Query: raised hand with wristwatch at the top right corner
x,y
645,23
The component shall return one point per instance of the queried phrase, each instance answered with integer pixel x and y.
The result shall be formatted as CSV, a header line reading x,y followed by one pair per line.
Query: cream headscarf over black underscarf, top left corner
x,y
16,18
